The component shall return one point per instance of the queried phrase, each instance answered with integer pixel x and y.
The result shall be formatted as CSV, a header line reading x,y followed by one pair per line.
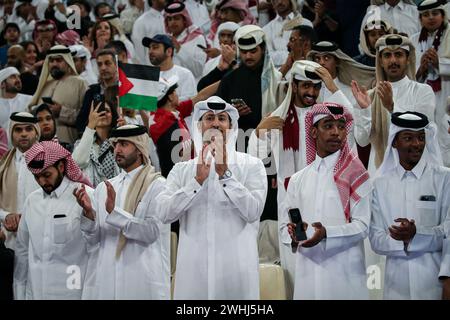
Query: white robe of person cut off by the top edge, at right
x,y
404,17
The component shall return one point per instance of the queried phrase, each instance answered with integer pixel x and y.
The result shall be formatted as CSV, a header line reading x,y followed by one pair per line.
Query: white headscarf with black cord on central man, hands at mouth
x,y
216,105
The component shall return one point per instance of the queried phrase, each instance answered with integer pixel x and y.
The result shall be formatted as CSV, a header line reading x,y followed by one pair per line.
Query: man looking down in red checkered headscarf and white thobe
x,y
51,255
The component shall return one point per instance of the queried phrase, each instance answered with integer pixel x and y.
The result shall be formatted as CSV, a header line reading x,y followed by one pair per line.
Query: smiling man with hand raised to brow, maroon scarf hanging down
x,y
288,147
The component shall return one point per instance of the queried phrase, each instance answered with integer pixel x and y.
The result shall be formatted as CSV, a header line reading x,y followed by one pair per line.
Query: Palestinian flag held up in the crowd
x,y
138,86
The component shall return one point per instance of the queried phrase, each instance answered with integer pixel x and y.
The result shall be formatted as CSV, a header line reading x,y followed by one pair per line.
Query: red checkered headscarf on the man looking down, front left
x,y
50,152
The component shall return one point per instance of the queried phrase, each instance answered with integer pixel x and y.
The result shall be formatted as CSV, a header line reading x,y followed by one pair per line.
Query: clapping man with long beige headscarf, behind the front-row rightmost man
x,y
396,91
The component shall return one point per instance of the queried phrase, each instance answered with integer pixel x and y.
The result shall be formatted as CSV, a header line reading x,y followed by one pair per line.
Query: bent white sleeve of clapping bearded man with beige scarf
x,y
144,230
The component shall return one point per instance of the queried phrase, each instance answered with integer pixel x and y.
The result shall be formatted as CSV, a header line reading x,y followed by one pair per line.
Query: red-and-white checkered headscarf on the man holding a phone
x,y
349,172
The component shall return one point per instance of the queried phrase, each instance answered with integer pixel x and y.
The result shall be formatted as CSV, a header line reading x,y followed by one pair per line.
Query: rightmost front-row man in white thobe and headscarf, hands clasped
x,y
410,205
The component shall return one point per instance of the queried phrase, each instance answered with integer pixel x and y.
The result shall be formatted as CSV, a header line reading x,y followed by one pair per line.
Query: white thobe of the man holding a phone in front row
x,y
334,268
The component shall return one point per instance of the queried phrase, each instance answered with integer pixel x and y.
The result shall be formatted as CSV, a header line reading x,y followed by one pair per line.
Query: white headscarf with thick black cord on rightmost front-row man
x,y
411,121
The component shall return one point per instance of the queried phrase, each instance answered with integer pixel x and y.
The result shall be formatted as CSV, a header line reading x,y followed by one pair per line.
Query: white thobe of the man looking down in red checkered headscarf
x,y
51,255
